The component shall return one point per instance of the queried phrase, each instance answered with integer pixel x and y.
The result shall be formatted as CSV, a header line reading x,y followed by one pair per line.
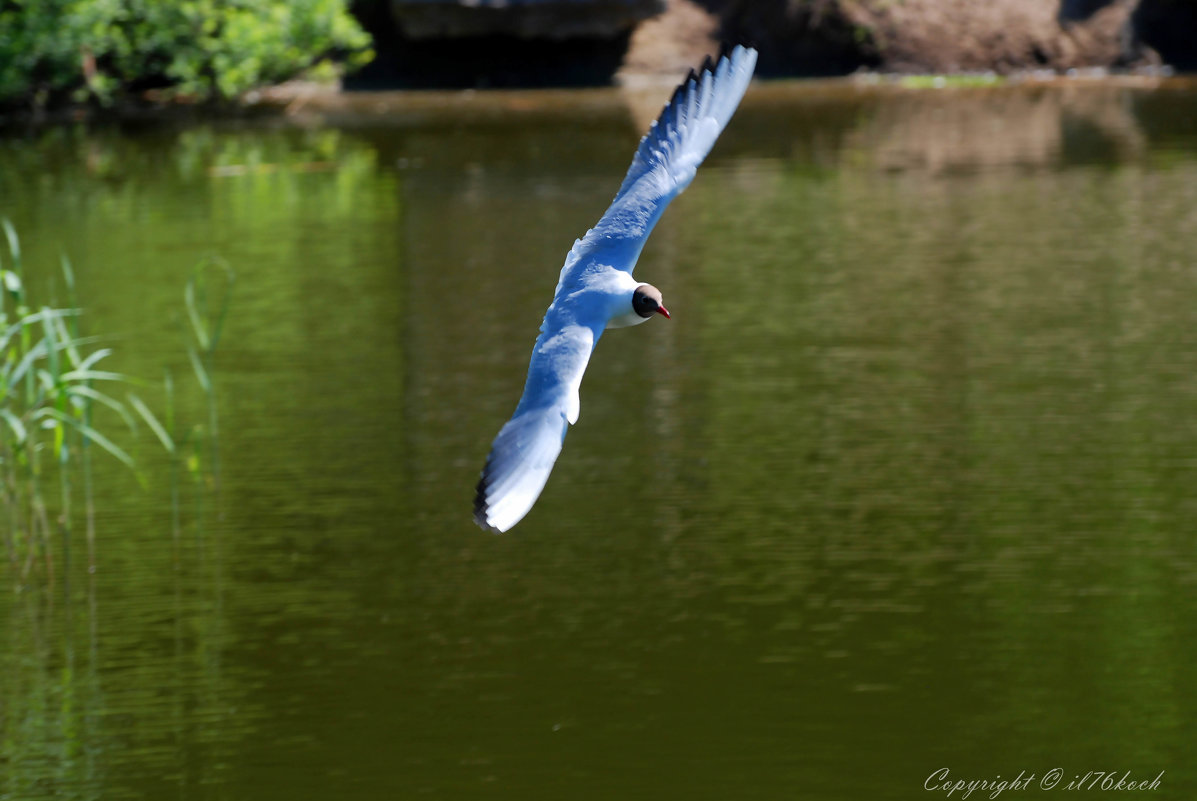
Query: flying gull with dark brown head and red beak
x,y
597,290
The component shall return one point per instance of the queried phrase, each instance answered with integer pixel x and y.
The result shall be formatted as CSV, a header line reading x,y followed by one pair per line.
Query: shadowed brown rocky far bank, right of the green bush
x,y
482,43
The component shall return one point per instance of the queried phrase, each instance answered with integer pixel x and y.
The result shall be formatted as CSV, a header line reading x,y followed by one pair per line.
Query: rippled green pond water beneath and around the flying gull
x,y
909,483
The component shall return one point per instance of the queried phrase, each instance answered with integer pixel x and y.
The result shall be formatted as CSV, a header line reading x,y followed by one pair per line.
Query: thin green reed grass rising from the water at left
x,y
50,386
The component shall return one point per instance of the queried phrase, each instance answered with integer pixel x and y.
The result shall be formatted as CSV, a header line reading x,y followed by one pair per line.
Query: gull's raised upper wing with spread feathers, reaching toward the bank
x,y
665,163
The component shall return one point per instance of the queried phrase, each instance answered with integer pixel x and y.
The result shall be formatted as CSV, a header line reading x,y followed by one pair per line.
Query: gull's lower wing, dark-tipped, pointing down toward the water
x,y
527,447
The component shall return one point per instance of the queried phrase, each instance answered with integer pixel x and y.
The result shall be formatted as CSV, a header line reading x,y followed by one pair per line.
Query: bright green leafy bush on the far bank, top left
x,y
53,50
